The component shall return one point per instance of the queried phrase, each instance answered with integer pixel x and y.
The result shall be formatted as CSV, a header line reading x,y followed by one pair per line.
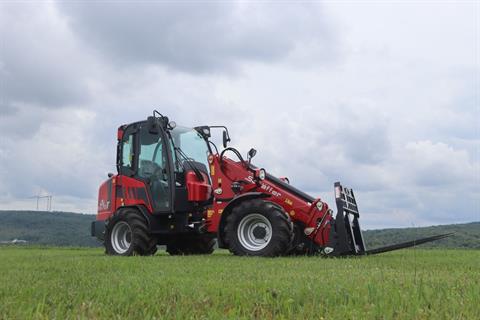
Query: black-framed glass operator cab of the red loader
x,y
172,161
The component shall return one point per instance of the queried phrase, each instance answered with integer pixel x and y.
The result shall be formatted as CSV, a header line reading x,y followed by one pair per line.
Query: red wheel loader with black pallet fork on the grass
x,y
173,187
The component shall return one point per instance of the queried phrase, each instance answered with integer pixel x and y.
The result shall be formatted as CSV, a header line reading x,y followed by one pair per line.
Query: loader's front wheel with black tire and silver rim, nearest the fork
x,y
250,240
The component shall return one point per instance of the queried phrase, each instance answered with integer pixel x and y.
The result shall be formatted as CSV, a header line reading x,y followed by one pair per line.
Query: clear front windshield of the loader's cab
x,y
191,143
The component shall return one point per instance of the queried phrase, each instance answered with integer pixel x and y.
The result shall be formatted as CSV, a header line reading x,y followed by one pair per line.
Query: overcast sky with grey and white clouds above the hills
x,y
383,96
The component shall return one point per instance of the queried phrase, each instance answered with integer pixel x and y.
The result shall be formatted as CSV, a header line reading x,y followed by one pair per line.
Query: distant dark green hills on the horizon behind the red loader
x,y
72,229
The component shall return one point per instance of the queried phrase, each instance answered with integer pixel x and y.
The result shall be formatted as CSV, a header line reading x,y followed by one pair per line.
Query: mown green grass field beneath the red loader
x,y
45,283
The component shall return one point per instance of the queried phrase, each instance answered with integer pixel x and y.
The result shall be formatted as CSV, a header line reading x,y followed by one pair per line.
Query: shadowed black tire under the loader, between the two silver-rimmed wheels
x,y
197,244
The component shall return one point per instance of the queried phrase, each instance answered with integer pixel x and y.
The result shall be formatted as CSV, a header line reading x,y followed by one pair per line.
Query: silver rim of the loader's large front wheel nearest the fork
x,y
254,232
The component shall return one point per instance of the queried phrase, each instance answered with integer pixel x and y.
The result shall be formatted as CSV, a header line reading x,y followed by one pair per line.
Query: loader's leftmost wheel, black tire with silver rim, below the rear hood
x,y
139,241
